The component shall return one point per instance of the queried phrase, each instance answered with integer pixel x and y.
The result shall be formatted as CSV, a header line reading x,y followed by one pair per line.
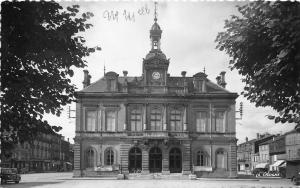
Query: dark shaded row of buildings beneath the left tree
x,y
47,152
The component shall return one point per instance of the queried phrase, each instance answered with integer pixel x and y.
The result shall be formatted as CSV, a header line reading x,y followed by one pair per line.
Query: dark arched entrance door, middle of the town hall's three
x,y
155,160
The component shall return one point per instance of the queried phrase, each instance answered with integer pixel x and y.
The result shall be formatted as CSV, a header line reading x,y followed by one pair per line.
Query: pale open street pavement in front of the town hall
x,y
57,180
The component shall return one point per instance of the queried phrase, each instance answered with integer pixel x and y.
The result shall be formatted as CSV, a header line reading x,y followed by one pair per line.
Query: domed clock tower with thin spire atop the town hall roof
x,y
155,65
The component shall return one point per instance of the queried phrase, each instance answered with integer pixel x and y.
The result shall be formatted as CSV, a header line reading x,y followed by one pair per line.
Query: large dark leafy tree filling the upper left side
x,y
40,47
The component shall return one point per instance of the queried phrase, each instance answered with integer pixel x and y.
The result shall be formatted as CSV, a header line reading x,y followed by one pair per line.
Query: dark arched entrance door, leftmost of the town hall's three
x,y
135,160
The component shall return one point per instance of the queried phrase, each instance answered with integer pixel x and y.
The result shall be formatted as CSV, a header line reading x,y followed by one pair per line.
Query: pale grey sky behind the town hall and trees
x,y
121,29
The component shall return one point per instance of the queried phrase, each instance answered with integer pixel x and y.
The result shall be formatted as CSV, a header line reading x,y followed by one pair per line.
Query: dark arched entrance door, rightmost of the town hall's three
x,y
175,162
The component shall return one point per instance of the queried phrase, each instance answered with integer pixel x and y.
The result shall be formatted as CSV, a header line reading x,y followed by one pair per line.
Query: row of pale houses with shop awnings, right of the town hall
x,y
279,153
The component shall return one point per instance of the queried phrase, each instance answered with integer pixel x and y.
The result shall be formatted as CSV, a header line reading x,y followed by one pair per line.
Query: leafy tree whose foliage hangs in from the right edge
x,y
264,46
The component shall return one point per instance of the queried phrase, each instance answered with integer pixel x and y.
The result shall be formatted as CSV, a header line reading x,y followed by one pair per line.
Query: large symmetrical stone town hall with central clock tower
x,y
155,122
